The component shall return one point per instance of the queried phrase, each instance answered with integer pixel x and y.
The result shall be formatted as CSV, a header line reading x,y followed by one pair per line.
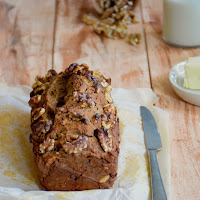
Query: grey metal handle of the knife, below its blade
x,y
158,190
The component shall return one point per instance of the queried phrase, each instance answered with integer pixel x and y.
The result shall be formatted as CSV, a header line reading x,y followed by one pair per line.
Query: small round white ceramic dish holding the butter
x,y
176,77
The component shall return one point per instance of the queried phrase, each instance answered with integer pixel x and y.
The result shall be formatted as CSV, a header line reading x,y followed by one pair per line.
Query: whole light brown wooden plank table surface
x,y
37,35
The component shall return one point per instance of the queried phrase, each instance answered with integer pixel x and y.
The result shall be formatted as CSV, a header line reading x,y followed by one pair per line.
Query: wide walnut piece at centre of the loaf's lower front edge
x,y
76,145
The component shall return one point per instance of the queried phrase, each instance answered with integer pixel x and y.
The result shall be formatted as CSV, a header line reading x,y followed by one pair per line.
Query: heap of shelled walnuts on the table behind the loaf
x,y
114,19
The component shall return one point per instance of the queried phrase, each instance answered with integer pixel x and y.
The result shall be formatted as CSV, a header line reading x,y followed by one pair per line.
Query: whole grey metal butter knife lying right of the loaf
x,y
153,143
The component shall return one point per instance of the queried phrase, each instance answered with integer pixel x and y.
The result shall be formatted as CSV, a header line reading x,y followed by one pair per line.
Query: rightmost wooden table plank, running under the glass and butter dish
x,y
184,118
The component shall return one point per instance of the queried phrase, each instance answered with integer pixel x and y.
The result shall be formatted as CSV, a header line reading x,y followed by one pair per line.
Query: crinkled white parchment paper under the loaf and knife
x,y
18,179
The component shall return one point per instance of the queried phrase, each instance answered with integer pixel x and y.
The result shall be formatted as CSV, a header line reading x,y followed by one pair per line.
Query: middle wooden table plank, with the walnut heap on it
x,y
76,42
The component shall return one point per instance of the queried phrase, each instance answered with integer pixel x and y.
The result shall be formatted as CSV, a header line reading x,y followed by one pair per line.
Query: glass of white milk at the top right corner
x,y
181,23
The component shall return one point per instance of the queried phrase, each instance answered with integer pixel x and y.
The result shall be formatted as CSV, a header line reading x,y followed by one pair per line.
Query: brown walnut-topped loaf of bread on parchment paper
x,y
75,130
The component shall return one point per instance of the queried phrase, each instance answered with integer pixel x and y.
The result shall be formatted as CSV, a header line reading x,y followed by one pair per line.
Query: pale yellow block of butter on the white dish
x,y
192,73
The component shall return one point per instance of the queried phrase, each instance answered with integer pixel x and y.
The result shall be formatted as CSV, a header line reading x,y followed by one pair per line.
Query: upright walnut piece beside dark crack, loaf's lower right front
x,y
105,139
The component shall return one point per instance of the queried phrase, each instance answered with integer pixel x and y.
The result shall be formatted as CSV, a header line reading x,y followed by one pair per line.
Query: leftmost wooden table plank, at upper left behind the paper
x,y
26,39
